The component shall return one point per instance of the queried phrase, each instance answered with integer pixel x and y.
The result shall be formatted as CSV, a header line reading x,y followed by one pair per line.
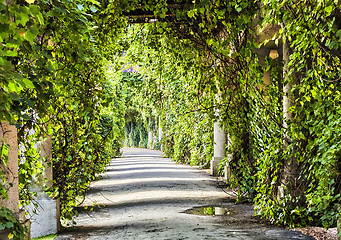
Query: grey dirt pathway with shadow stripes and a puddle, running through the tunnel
x,y
144,196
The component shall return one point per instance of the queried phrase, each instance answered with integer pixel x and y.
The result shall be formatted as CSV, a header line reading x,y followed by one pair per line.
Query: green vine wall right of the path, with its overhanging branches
x,y
213,56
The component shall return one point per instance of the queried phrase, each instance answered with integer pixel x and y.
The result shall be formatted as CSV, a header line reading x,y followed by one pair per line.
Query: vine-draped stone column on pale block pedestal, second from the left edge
x,y
45,218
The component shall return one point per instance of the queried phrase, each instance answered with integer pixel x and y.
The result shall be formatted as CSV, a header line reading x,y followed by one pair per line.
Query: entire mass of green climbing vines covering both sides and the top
x,y
62,74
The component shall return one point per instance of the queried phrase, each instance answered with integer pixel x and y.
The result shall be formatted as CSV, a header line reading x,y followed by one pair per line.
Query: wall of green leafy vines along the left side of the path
x,y
53,83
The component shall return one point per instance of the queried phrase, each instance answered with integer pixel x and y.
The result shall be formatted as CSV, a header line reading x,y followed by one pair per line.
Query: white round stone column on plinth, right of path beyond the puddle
x,y
219,147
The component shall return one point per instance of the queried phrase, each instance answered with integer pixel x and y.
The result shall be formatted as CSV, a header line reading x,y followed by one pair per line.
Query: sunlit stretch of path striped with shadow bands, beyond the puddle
x,y
130,181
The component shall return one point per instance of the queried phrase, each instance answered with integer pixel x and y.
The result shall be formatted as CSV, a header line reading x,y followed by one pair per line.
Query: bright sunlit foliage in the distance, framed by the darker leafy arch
x,y
166,95
